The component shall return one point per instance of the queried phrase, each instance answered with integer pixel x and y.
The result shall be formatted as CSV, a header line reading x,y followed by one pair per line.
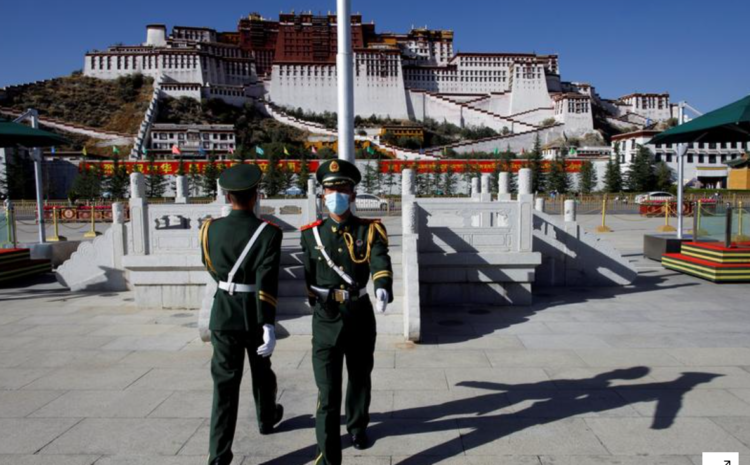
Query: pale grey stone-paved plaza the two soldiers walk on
x,y
653,373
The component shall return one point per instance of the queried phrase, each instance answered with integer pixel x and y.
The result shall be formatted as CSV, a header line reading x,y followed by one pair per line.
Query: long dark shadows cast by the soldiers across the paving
x,y
553,400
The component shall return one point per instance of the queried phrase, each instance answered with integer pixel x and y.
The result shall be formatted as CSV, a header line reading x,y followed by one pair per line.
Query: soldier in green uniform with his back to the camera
x,y
242,253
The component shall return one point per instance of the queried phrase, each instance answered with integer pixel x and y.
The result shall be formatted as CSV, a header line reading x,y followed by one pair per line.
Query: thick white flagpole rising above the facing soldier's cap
x,y
345,70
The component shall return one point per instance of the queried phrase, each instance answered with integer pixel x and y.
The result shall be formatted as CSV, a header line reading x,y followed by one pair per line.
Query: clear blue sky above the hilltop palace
x,y
695,49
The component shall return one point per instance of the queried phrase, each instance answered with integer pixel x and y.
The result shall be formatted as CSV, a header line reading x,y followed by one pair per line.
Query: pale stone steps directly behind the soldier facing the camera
x,y
294,315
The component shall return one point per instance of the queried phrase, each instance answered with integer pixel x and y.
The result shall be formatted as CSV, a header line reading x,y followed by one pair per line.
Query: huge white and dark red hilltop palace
x,y
291,62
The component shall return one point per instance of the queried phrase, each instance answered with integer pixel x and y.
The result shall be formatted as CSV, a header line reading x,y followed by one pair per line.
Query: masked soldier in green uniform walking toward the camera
x,y
341,254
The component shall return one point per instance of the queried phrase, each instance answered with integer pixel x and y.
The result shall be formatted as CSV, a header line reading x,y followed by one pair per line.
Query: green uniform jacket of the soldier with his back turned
x,y
222,242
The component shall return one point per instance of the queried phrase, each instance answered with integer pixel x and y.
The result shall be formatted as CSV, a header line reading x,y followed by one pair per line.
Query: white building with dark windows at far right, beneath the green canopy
x,y
704,162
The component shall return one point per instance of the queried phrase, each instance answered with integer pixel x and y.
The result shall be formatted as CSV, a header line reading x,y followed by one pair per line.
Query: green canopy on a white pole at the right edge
x,y
728,124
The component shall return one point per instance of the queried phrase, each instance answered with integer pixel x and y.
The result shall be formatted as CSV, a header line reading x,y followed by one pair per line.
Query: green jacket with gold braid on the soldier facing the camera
x,y
352,238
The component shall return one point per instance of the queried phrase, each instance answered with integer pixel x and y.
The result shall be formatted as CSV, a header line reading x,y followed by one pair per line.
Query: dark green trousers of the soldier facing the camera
x,y
343,333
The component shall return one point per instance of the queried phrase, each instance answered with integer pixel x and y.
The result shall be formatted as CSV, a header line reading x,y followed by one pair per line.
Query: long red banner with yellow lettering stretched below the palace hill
x,y
171,167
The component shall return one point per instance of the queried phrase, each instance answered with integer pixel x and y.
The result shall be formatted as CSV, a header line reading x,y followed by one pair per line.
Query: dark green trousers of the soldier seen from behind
x,y
226,369
